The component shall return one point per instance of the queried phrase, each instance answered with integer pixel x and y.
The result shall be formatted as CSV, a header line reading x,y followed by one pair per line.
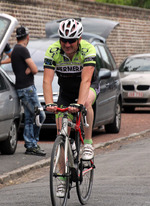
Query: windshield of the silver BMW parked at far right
x,y
136,65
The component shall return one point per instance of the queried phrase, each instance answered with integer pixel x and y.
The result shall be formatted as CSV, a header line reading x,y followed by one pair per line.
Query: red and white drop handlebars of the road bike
x,y
37,112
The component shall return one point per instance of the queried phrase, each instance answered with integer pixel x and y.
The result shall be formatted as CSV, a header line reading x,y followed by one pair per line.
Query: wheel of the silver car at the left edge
x,y
9,145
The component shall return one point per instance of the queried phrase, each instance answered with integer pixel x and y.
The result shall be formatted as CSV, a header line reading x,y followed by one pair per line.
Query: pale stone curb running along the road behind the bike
x,y
10,176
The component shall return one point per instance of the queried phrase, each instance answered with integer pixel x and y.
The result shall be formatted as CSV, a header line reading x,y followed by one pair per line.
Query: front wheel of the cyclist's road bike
x,y
55,173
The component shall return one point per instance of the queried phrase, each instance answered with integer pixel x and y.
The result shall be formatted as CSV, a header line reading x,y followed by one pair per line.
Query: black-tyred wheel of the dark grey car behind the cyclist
x,y
115,126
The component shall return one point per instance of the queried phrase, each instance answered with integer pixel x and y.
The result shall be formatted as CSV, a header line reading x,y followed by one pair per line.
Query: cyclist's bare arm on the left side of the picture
x,y
47,85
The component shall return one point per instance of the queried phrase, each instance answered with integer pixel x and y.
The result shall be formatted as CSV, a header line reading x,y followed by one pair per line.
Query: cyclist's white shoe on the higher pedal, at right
x,y
88,152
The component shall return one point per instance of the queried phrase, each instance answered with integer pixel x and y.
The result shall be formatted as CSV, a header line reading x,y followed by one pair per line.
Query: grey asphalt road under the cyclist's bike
x,y
122,178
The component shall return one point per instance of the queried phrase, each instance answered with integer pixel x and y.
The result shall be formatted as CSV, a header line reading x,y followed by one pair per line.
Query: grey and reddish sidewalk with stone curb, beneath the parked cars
x,y
13,166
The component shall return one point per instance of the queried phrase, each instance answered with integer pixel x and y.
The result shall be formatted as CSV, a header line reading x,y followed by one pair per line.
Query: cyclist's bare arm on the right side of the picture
x,y
86,78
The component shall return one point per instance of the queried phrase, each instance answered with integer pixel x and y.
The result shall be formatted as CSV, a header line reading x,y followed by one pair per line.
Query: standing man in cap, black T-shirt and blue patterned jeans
x,y
24,69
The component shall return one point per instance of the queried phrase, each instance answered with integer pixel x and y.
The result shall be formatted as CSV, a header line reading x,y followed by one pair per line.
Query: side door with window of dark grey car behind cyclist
x,y
105,106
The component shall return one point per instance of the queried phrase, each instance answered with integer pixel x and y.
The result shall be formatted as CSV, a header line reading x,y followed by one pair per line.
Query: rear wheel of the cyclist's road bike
x,y
85,181
